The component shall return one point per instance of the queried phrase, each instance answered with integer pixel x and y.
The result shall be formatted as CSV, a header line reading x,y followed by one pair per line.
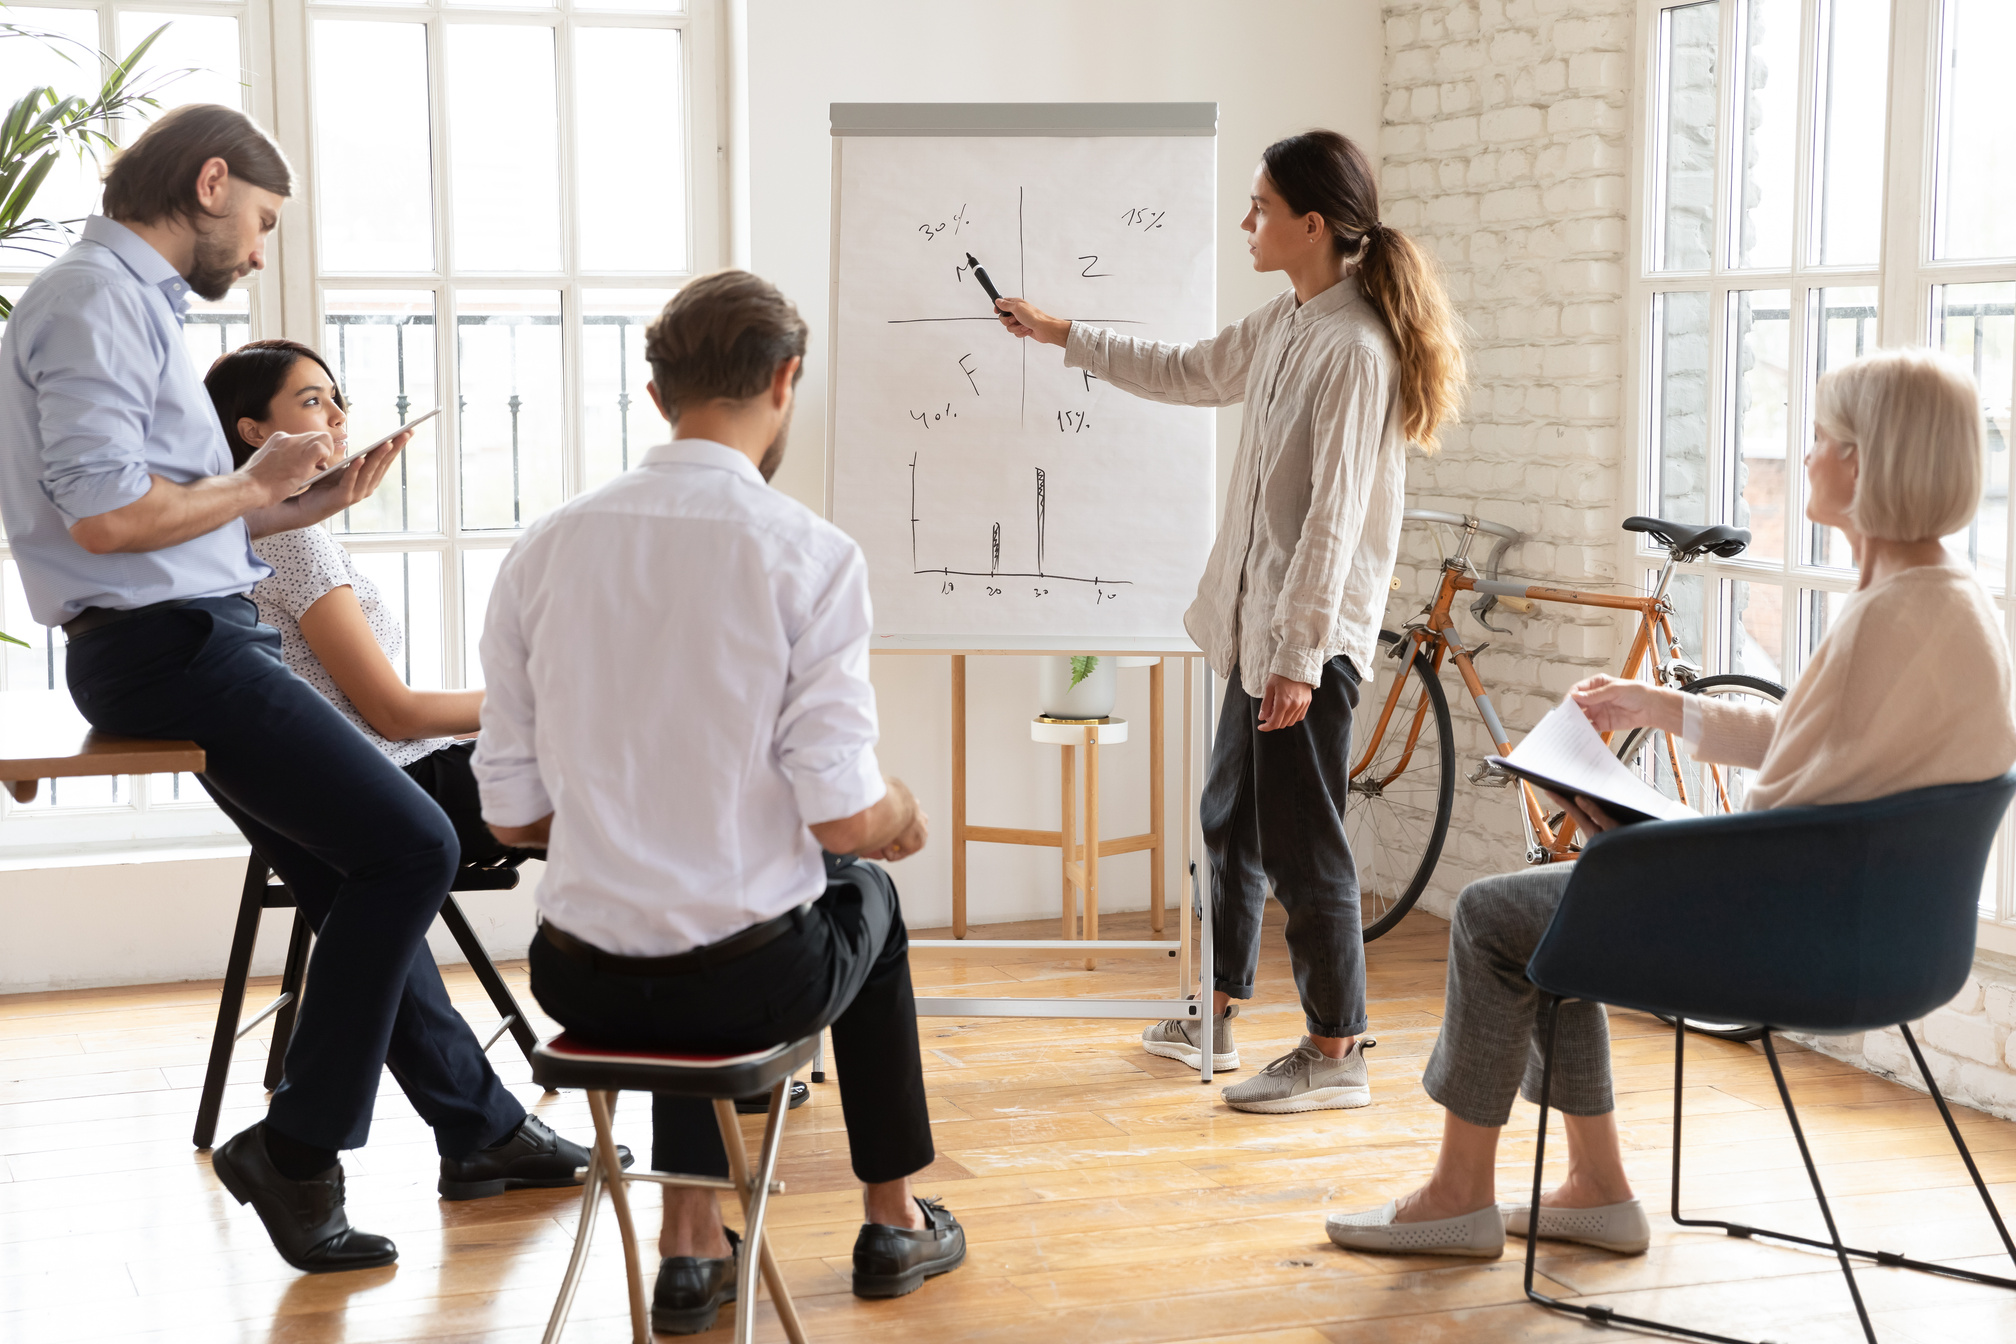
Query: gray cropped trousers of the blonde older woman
x,y
1493,1033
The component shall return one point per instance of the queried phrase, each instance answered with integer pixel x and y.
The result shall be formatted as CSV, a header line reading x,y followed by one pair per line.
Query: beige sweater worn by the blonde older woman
x,y
1912,688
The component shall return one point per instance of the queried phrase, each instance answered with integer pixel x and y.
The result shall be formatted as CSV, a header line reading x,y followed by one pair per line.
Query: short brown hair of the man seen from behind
x,y
723,338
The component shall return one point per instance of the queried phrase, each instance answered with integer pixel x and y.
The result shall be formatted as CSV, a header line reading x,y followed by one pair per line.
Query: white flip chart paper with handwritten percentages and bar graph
x,y
993,491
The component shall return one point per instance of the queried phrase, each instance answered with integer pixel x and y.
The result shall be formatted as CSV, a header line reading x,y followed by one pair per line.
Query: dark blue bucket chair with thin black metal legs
x,y
1825,920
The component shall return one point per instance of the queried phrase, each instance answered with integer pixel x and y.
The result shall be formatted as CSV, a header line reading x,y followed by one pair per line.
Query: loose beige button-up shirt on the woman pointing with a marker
x,y
1305,555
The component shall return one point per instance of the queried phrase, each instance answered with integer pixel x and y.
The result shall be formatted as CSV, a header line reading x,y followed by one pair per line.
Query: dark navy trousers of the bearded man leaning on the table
x,y
364,849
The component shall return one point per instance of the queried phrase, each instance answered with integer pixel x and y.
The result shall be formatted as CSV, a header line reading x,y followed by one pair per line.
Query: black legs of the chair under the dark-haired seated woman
x,y
265,894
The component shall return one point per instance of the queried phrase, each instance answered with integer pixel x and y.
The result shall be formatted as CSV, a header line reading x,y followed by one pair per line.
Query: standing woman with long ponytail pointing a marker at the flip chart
x,y
1338,374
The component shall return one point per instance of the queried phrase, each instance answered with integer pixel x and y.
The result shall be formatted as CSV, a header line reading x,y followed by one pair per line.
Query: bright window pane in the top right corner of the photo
x,y
1977,174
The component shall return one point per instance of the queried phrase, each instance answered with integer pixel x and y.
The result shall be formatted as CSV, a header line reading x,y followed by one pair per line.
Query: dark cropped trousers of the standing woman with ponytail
x,y
1275,813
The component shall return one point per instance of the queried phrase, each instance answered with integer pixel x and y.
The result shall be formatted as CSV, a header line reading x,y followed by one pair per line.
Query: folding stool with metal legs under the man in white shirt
x,y
602,1073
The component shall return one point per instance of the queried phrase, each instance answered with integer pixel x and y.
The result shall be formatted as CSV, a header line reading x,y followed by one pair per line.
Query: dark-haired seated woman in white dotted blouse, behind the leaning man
x,y
336,628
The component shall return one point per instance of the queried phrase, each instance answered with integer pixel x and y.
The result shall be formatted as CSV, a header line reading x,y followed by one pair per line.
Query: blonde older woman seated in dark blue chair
x,y
1912,688
